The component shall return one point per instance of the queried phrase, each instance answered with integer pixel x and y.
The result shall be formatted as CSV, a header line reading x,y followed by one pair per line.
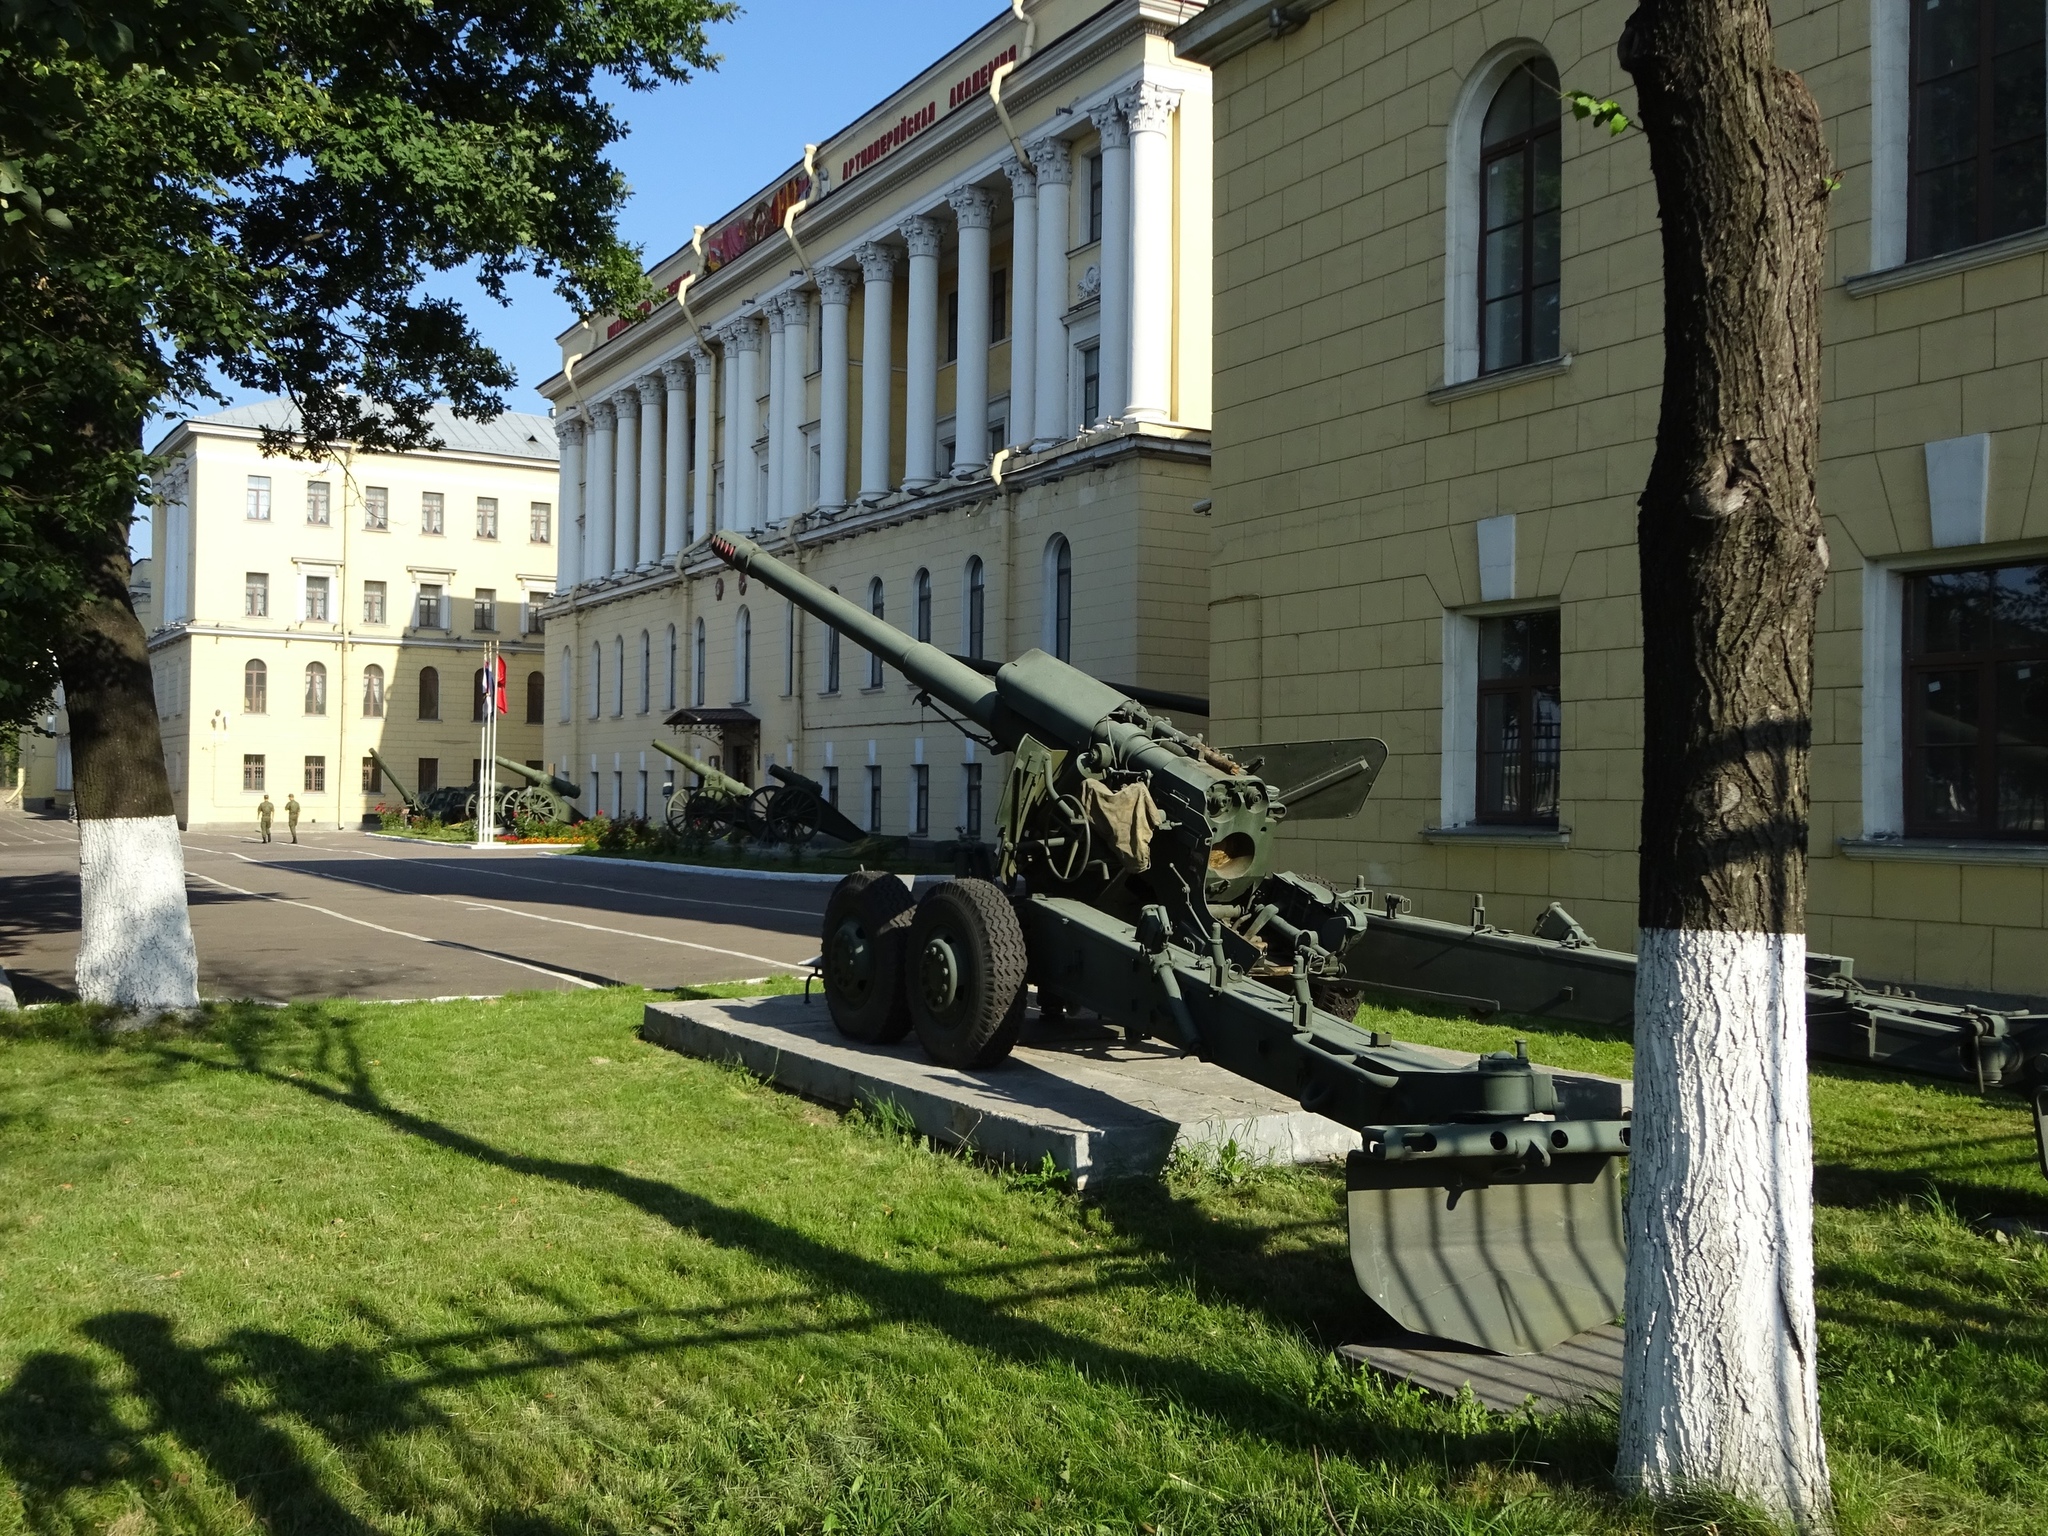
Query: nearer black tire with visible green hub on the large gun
x,y
964,974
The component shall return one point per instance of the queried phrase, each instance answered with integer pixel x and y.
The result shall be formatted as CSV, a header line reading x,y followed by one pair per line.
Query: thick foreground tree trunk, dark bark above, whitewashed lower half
x,y
1719,1388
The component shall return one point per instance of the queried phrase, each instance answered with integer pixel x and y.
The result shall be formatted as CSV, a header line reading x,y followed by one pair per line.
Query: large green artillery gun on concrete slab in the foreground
x,y
1138,882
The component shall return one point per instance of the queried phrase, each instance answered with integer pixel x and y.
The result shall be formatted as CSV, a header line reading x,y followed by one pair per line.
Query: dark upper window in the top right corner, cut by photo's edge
x,y
1979,124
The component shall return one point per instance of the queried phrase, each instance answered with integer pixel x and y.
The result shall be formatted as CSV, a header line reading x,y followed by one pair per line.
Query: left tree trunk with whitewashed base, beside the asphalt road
x,y
136,935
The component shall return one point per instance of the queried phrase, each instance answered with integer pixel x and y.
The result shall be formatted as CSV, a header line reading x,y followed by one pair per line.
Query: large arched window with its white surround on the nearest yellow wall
x,y
1502,226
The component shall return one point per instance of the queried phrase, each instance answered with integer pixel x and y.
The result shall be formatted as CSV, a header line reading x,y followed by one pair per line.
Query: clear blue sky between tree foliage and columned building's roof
x,y
794,73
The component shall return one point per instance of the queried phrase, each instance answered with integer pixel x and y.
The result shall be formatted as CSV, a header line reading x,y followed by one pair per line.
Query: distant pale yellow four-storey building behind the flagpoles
x,y
306,615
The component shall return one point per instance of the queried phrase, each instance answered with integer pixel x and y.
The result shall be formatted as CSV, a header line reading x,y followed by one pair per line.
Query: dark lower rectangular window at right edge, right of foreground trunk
x,y
1977,703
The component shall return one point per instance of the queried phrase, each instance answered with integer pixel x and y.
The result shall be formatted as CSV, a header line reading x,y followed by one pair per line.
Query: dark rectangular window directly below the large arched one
x,y
1519,720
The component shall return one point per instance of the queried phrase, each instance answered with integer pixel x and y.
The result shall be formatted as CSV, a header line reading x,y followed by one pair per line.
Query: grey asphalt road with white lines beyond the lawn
x,y
353,916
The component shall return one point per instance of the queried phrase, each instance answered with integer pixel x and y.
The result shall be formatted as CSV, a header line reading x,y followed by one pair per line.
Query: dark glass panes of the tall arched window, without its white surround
x,y
1519,220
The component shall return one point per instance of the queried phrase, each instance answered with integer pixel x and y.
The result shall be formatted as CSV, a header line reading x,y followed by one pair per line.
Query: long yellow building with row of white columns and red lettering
x,y
953,366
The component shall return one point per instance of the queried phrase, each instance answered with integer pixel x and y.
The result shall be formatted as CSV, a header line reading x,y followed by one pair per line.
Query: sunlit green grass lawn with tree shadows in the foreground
x,y
501,1267
